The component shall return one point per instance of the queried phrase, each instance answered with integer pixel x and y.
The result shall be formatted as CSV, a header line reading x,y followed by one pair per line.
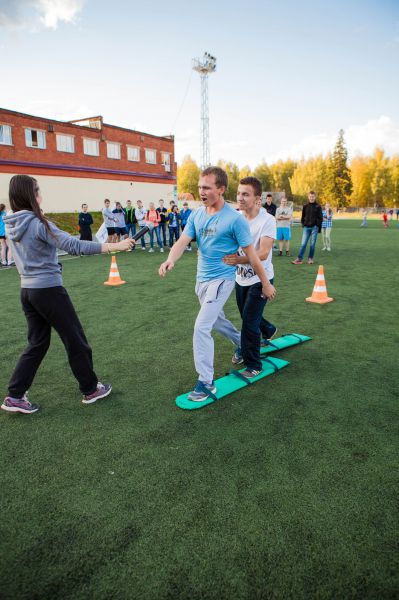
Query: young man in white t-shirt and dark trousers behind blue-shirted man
x,y
250,300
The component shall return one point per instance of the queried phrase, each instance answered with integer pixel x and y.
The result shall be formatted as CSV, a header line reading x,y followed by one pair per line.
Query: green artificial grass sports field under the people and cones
x,y
286,490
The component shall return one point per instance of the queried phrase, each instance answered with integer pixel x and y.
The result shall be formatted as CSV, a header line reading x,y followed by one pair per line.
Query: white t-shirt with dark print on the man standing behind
x,y
264,225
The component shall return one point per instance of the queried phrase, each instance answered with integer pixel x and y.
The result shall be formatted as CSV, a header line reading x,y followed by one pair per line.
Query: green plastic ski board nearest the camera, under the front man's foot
x,y
231,383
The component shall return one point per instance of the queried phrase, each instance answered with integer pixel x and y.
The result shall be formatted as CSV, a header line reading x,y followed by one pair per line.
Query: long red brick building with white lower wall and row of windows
x,y
85,161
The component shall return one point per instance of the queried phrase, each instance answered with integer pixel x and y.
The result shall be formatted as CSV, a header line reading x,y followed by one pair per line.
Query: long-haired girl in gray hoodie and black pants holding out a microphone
x,y
34,241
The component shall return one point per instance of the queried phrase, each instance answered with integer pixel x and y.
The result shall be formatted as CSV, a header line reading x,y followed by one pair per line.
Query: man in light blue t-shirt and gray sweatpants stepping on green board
x,y
218,230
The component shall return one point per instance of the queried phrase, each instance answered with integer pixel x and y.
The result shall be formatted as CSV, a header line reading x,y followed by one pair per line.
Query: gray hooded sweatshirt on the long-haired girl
x,y
35,249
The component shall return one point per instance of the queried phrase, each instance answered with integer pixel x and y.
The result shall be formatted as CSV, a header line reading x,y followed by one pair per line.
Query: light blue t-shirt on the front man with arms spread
x,y
217,235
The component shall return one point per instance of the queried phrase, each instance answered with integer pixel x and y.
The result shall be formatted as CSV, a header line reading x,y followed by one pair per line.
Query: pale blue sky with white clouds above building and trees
x,y
289,75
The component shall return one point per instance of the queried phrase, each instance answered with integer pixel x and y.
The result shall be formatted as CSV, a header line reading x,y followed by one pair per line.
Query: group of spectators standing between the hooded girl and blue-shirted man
x,y
165,224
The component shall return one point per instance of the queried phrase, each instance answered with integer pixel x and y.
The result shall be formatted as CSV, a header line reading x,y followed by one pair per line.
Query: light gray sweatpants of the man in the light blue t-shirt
x,y
212,295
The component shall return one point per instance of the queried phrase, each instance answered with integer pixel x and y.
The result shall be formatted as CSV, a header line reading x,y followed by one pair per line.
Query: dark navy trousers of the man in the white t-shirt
x,y
251,304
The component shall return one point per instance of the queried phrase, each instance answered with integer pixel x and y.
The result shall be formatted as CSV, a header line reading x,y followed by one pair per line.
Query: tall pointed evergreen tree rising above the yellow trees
x,y
339,182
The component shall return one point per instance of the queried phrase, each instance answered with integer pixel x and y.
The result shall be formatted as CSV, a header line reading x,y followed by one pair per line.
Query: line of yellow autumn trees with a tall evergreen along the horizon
x,y
364,181
